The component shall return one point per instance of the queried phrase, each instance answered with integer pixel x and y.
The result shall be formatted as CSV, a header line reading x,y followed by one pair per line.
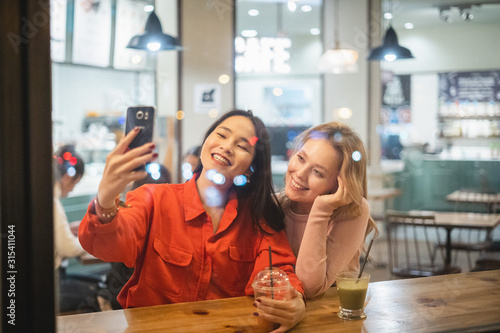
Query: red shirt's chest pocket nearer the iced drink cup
x,y
239,267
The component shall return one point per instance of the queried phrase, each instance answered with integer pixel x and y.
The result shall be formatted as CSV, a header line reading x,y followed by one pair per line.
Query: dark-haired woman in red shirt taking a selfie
x,y
204,239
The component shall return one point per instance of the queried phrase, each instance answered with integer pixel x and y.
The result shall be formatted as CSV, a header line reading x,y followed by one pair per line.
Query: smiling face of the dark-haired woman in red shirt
x,y
229,149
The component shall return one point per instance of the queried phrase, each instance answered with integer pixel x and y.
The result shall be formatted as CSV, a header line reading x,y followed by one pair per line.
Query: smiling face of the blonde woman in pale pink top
x,y
311,172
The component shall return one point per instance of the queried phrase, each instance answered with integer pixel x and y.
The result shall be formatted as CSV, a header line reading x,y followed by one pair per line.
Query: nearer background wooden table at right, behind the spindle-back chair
x,y
452,220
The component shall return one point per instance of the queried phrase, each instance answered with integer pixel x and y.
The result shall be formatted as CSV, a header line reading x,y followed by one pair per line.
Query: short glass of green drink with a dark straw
x,y
352,294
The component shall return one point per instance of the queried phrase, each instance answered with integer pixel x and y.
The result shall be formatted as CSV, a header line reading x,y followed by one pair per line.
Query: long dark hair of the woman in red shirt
x,y
259,191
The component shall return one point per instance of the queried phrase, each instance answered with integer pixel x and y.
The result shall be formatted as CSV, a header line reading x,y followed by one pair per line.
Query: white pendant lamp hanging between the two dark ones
x,y
338,60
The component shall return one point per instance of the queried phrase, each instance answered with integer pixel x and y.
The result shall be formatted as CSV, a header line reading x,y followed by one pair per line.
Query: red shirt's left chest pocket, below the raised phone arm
x,y
168,268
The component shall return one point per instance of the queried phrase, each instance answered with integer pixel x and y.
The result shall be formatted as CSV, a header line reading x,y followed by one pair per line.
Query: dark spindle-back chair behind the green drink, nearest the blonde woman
x,y
411,238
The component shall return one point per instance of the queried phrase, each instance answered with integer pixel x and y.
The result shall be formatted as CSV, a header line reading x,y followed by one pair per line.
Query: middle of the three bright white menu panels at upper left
x,y
92,32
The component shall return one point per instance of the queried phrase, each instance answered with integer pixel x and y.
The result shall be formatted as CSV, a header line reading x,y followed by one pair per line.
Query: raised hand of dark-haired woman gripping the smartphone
x,y
120,167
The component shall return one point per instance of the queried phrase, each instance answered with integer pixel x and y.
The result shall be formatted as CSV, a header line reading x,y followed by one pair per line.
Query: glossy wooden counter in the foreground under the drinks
x,y
458,302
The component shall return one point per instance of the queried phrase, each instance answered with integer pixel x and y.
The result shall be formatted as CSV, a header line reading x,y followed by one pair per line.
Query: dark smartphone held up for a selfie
x,y
144,118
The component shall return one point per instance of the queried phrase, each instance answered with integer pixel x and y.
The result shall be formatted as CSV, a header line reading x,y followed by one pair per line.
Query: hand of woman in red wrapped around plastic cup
x,y
287,313
